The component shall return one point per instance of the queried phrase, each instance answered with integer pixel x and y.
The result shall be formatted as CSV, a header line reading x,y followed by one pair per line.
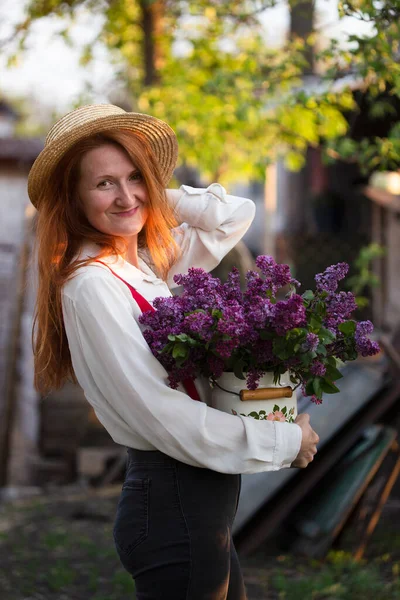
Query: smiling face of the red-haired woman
x,y
112,192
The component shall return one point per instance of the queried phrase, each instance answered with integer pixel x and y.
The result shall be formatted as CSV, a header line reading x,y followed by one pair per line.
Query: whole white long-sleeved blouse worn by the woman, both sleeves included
x,y
128,387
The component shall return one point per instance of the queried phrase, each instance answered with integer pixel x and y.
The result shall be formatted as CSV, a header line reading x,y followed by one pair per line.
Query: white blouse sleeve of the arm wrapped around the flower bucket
x,y
129,378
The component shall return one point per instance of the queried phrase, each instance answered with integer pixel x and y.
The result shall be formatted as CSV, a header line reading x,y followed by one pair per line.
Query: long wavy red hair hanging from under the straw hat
x,y
62,227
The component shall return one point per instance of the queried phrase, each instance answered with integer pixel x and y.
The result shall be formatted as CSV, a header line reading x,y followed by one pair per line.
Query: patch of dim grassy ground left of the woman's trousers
x,y
45,553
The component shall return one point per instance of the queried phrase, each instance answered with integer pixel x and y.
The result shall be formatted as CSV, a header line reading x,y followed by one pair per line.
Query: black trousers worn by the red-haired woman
x,y
173,530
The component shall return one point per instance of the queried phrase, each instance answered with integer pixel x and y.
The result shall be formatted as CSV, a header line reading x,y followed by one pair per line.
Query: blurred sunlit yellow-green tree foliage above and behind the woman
x,y
236,103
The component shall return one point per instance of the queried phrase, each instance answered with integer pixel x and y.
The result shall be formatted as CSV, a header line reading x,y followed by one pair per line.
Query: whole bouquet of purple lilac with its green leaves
x,y
214,327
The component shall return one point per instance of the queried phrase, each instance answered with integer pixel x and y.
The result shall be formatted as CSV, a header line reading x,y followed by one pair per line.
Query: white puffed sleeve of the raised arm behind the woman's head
x,y
211,224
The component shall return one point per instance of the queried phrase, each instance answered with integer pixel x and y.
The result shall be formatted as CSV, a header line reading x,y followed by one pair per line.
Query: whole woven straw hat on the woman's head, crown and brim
x,y
93,118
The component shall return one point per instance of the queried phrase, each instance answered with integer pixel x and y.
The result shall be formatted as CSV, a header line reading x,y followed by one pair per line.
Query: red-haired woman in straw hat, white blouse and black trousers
x,y
110,237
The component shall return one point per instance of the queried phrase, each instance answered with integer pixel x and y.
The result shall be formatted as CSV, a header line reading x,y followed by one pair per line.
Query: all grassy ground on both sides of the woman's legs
x,y
47,554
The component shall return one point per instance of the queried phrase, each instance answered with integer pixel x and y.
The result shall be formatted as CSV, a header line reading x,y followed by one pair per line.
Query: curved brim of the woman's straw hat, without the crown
x,y
160,135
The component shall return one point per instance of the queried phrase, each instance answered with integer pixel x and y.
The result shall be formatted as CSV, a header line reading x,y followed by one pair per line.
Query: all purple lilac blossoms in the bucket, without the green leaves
x,y
243,316
